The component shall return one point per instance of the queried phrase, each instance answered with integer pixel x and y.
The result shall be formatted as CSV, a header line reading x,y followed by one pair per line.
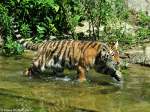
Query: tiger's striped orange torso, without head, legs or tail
x,y
67,53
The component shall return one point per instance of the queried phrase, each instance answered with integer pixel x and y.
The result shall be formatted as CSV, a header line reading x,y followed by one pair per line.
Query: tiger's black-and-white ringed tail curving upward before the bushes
x,y
28,44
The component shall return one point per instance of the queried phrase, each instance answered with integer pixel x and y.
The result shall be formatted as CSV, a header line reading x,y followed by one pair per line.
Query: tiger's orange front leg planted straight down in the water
x,y
81,72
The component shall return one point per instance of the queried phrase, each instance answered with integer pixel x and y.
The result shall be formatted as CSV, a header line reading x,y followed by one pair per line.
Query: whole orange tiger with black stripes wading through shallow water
x,y
79,55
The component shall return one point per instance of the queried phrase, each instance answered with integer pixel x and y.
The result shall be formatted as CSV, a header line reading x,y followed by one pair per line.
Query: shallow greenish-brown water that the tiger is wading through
x,y
98,94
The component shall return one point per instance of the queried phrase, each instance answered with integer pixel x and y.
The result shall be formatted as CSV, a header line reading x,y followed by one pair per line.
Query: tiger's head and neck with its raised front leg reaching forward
x,y
108,61
